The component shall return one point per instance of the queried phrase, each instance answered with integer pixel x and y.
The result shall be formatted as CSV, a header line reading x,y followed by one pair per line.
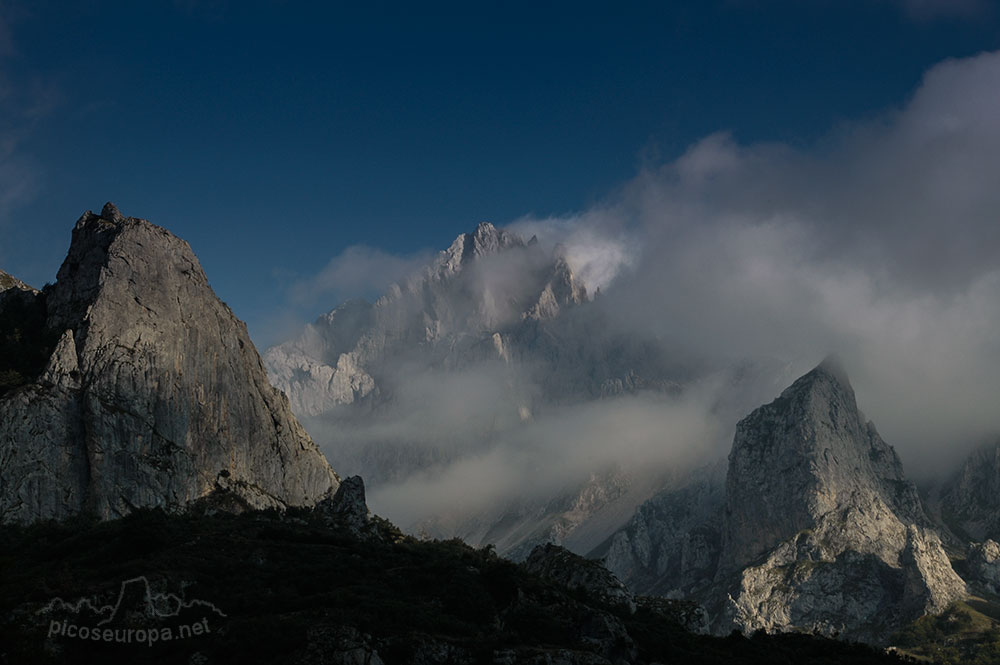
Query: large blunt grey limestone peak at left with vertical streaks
x,y
153,393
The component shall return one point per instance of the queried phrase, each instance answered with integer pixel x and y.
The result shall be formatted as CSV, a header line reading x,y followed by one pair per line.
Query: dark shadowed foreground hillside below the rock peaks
x,y
269,588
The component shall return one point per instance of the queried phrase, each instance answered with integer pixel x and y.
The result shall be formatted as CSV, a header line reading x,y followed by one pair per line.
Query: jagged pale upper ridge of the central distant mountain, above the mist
x,y
486,288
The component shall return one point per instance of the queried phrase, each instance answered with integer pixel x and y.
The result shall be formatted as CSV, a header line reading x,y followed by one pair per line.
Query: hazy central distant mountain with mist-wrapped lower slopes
x,y
371,383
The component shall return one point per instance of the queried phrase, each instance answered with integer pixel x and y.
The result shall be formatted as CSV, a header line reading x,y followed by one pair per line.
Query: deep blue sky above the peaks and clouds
x,y
274,135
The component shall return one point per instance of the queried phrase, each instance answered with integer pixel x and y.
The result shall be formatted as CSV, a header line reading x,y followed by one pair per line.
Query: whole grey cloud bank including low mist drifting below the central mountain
x,y
880,243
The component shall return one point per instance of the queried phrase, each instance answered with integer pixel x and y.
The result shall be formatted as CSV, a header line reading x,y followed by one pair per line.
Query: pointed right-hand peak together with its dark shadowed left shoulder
x,y
815,527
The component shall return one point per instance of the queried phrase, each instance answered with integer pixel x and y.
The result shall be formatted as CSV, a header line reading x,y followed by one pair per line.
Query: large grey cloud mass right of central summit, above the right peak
x,y
881,242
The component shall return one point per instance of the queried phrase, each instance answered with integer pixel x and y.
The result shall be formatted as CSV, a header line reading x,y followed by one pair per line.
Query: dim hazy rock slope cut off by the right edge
x,y
970,502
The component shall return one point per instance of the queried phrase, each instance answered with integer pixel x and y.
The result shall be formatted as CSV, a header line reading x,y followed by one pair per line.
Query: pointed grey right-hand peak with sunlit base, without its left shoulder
x,y
821,529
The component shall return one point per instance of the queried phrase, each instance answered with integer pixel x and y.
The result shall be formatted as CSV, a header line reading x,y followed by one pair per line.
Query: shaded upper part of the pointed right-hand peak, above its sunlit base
x,y
807,455
